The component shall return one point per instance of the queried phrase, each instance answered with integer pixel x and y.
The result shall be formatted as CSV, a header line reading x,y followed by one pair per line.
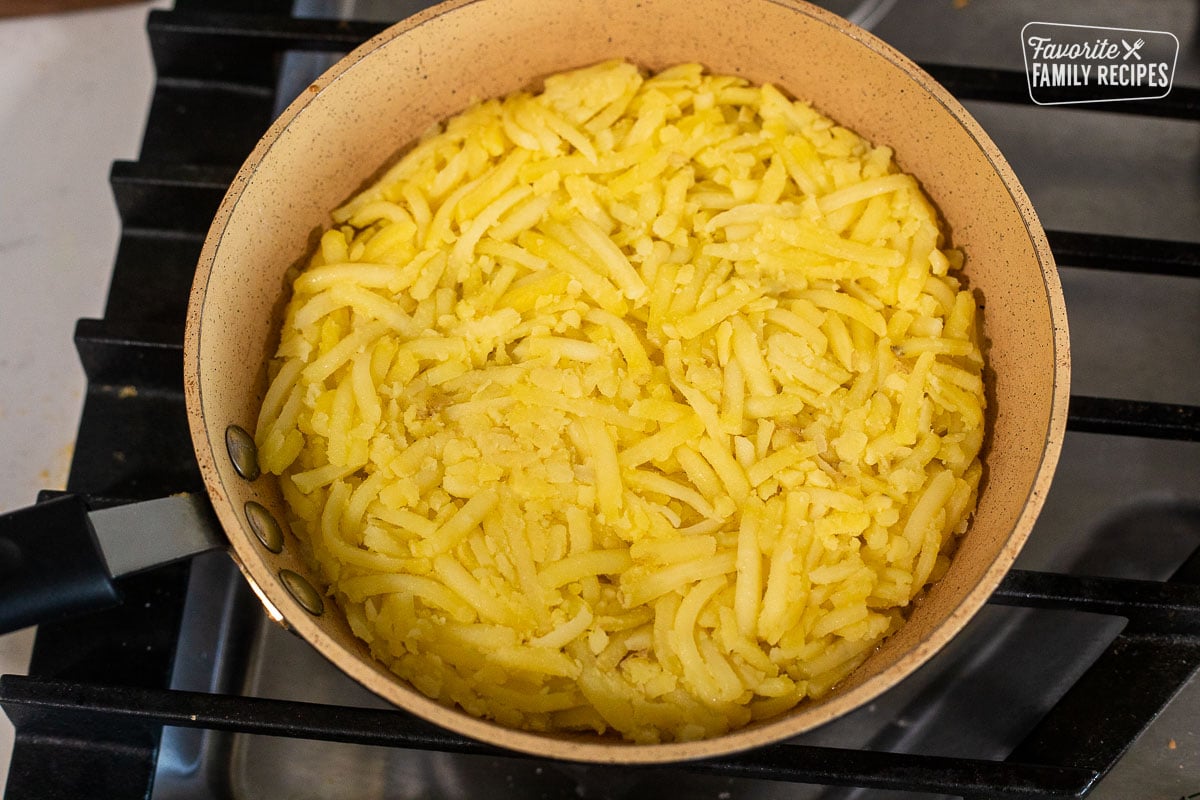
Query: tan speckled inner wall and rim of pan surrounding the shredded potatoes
x,y
367,110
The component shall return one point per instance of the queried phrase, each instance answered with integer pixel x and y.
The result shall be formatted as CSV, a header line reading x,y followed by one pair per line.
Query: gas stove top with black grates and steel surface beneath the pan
x,y
188,691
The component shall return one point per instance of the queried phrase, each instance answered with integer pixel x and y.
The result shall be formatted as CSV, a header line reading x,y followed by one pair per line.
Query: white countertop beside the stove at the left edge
x,y
75,91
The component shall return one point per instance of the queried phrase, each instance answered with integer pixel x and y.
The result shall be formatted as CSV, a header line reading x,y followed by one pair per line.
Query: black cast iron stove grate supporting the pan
x,y
91,714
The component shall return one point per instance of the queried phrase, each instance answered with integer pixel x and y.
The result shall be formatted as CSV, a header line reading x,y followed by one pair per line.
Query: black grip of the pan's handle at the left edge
x,y
51,564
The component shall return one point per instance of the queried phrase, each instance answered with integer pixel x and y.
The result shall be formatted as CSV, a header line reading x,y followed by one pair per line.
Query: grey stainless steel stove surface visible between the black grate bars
x,y
1120,507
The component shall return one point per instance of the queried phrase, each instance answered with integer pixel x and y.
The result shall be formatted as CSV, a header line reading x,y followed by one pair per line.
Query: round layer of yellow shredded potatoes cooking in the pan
x,y
641,405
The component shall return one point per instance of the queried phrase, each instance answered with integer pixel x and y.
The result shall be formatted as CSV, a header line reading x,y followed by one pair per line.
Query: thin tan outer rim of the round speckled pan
x,y
208,446
